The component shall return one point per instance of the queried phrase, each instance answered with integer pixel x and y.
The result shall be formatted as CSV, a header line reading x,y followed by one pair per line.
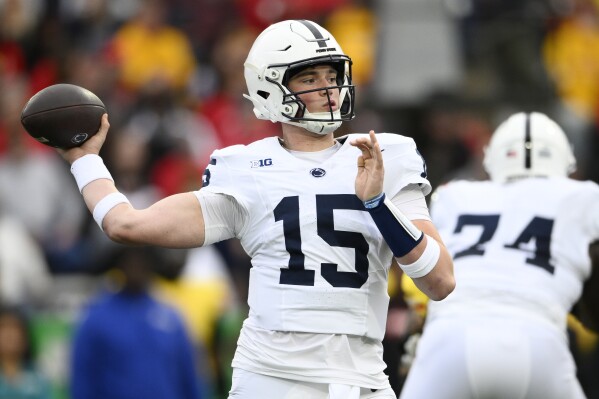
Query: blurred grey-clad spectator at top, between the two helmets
x,y
418,52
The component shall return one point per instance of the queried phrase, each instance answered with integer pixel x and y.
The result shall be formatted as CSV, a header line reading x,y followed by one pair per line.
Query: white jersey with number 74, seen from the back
x,y
525,242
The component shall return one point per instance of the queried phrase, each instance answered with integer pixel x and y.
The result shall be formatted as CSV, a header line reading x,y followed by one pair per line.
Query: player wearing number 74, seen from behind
x,y
520,244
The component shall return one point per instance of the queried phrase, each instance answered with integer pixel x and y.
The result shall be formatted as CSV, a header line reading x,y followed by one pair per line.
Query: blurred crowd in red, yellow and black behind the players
x,y
170,73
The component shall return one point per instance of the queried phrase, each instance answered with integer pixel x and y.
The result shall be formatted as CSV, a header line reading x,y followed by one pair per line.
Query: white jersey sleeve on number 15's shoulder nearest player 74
x,y
403,164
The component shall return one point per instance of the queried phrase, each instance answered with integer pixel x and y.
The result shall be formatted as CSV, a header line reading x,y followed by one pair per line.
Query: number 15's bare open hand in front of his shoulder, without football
x,y
369,180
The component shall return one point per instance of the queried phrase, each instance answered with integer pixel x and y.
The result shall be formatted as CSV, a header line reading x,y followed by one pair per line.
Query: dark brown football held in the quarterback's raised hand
x,y
62,115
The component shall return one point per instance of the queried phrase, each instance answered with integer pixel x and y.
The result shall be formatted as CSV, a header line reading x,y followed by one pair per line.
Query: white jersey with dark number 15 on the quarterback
x,y
319,263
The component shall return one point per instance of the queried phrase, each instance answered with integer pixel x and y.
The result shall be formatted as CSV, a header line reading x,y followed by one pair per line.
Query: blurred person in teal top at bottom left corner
x,y
19,378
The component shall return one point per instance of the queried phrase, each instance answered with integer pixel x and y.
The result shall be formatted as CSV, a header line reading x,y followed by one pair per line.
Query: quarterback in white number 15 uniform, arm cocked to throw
x,y
320,217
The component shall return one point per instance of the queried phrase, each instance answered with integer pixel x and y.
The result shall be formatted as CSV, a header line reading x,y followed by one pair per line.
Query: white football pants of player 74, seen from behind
x,y
491,359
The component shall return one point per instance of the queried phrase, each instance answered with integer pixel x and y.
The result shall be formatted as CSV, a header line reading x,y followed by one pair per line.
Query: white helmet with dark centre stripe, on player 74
x,y
528,145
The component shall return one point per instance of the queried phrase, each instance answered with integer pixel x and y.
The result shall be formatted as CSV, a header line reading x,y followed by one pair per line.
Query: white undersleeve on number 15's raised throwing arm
x,y
223,216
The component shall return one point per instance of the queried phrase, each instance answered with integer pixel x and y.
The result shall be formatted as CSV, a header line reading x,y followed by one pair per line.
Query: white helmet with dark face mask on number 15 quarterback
x,y
284,48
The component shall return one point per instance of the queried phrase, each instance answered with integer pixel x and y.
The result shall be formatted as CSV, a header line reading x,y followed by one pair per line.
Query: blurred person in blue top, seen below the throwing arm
x,y
128,344
